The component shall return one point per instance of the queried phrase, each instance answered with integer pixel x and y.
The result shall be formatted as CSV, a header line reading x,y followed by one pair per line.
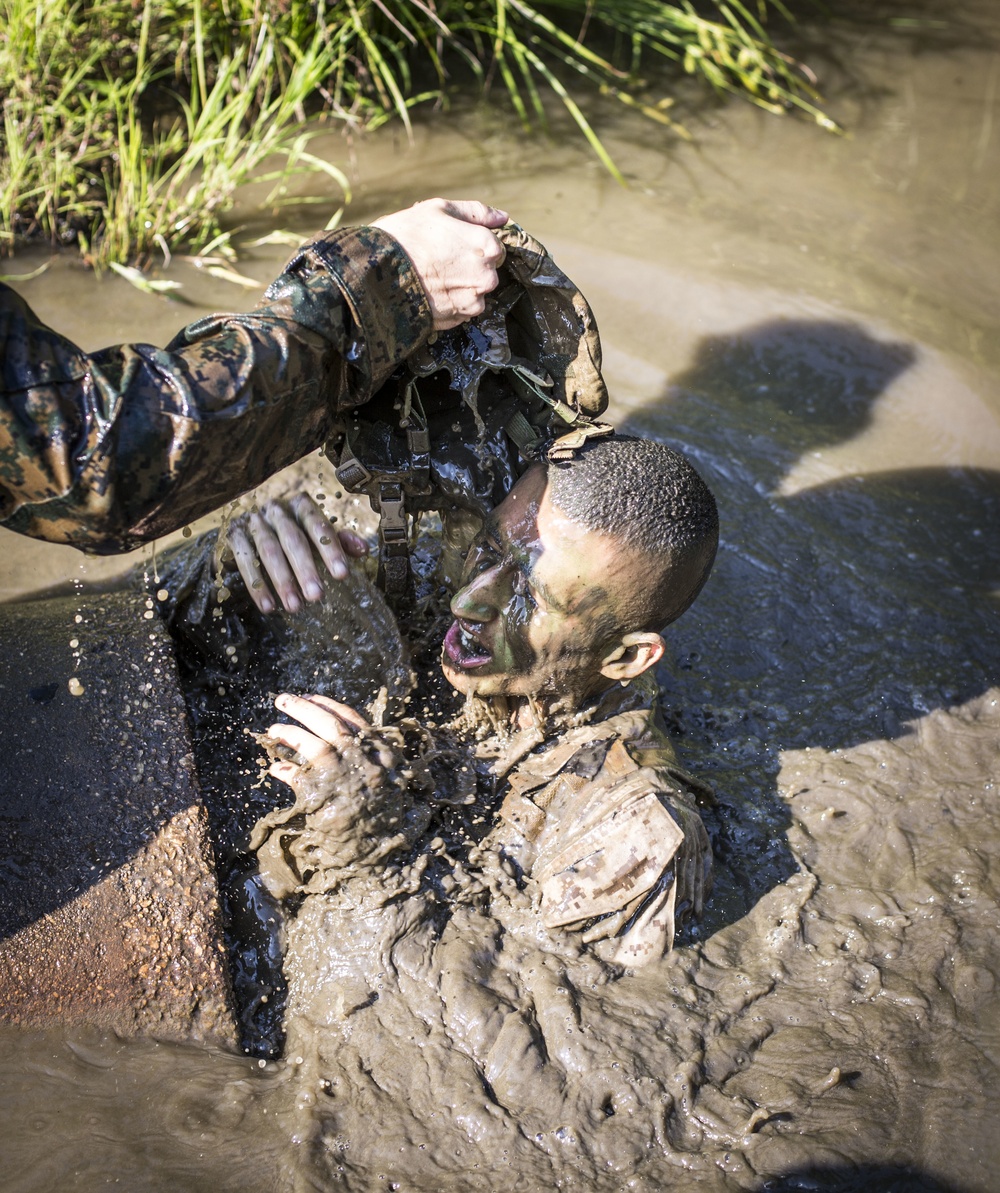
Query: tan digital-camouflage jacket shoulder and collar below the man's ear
x,y
604,824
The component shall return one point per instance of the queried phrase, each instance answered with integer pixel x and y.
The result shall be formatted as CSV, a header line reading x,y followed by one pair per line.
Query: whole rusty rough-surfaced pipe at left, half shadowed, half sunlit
x,y
109,905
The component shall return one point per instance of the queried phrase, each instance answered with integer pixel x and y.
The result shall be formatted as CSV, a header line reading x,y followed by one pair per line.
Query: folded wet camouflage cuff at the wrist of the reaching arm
x,y
384,290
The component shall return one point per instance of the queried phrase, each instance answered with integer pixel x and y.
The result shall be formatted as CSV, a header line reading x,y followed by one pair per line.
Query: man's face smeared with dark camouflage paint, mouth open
x,y
539,595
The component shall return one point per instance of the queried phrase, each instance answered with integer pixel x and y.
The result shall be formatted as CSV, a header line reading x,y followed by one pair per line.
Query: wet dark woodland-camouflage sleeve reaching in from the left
x,y
113,449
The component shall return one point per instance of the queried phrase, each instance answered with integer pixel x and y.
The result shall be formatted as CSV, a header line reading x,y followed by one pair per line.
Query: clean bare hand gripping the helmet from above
x,y
454,252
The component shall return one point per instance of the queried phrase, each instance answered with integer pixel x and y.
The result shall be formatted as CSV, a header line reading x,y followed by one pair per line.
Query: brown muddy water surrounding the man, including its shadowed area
x,y
814,322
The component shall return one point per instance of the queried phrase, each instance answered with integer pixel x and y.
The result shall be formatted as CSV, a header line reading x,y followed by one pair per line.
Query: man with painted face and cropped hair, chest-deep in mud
x,y
554,636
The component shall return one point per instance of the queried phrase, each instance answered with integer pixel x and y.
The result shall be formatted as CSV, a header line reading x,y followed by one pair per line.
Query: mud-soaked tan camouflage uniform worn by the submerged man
x,y
597,829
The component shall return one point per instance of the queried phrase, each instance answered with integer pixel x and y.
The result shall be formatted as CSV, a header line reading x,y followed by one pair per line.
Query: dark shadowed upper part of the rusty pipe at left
x,y
70,761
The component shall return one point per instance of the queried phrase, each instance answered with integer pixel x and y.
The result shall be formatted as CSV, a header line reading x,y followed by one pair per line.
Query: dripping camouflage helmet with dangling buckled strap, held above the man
x,y
467,415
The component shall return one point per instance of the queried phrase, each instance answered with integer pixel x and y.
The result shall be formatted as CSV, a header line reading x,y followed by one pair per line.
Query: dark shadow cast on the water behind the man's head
x,y
835,615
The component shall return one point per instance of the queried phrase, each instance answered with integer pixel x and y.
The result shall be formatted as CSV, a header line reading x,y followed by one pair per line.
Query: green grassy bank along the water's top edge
x,y
127,126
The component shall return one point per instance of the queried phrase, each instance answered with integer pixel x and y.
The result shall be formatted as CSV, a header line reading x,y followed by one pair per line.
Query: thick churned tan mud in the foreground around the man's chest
x,y
442,1039
